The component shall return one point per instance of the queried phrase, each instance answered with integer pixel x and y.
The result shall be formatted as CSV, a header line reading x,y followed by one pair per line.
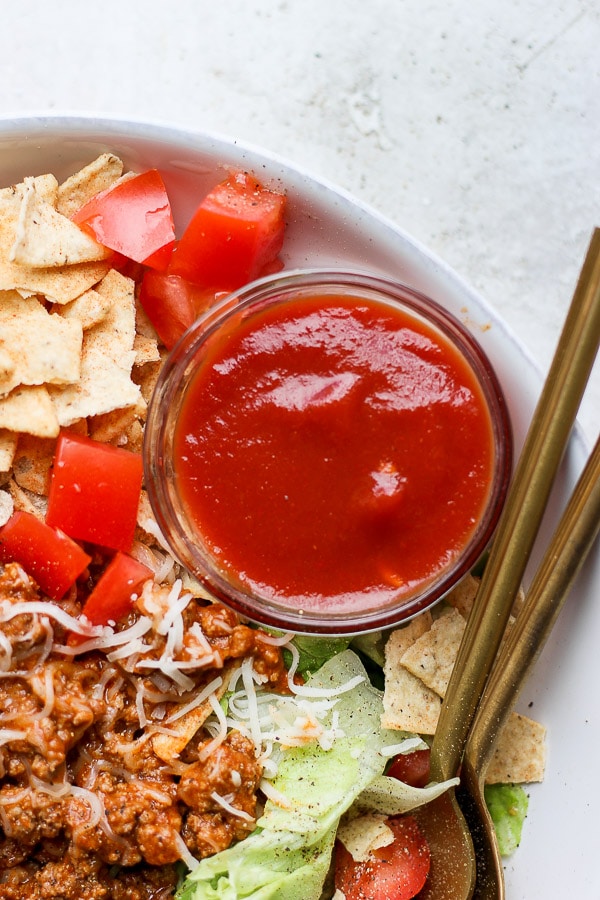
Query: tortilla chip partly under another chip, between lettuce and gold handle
x,y
408,705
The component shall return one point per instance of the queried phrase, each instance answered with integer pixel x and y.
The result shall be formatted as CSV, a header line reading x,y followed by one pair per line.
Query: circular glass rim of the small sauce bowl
x,y
158,471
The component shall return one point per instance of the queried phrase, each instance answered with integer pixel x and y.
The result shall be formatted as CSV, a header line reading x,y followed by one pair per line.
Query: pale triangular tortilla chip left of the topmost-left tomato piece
x,y
44,238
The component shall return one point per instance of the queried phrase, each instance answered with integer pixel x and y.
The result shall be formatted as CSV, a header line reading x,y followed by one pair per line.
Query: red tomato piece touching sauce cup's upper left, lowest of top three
x,y
173,304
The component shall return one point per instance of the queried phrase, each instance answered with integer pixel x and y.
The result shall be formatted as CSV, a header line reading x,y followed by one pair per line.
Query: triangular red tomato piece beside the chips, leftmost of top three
x,y
133,218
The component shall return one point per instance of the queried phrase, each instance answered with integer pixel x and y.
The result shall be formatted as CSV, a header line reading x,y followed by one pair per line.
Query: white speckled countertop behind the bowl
x,y
475,127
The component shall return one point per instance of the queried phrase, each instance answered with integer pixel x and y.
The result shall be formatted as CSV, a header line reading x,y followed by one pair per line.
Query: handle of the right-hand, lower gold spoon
x,y
574,537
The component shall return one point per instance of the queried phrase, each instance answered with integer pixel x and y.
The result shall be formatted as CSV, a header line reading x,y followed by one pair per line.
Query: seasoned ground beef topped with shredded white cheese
x,y
88,808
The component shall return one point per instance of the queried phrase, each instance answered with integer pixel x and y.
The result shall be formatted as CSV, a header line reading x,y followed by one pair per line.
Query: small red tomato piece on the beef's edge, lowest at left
x,y
115,590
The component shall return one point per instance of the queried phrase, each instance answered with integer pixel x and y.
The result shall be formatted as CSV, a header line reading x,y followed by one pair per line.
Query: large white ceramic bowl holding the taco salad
x,y
328,228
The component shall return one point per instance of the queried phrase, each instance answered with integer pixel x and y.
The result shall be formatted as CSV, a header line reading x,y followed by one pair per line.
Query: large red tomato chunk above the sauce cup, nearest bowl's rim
x,y
236,232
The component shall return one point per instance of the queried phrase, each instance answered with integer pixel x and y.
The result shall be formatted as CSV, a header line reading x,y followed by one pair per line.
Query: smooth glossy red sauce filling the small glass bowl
x,y
333,451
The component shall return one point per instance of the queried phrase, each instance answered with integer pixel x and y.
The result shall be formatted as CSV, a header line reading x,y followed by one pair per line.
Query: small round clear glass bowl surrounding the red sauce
x,y
184,536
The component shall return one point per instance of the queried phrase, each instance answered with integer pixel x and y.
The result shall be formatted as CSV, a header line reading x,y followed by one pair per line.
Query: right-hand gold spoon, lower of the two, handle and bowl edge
x,y
577,530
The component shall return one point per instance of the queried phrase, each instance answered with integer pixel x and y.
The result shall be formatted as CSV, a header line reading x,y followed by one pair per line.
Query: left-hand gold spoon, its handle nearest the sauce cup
x,y
515,535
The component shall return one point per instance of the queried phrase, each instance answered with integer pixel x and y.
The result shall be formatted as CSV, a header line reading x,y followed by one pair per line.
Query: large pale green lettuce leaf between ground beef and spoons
x,y
288,856
